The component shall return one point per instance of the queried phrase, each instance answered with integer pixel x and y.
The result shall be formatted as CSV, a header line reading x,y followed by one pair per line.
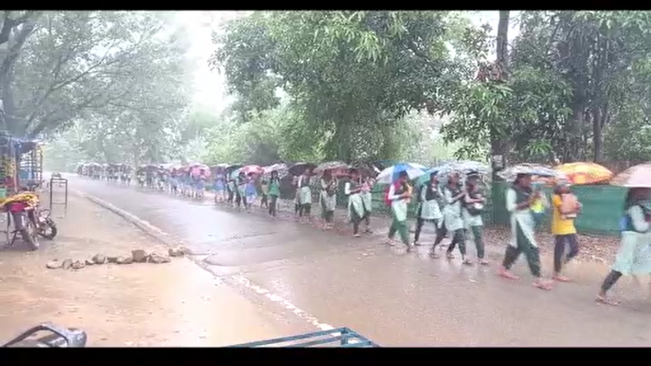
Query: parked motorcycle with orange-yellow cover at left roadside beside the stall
x,y
29,221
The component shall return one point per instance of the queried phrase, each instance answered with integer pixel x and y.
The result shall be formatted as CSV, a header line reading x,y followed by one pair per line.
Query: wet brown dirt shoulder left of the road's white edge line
x,y
139,304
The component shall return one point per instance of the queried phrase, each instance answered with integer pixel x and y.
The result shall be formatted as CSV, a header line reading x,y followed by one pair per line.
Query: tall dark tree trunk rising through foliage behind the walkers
x,y
499,145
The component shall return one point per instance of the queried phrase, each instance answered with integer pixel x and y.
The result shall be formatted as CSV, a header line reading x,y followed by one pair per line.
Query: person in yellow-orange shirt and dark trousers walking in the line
x,y
565,207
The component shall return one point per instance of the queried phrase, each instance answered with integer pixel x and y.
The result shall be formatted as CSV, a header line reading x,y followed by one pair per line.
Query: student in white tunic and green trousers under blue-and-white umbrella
x,y
399,194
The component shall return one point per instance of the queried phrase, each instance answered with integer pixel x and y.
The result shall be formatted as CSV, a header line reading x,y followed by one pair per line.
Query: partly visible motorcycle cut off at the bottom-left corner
x,y
58,337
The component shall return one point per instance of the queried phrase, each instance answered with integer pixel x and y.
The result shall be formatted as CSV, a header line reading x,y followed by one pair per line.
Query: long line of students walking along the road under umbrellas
x,y
453,207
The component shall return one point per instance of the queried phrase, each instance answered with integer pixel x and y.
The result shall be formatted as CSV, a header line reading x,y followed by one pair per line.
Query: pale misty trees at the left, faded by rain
x,y
116,77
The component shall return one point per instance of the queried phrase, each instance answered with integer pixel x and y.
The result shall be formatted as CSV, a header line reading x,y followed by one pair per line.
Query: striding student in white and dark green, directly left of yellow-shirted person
x,y
519,199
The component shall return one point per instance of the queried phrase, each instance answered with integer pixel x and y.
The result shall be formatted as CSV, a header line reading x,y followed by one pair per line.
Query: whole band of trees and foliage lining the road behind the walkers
x,y
337,85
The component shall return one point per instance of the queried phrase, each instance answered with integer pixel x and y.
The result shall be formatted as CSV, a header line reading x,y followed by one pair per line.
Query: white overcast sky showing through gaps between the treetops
x,y
210,92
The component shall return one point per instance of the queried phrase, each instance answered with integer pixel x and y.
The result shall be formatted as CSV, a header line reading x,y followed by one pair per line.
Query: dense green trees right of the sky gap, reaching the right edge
x,y
573,86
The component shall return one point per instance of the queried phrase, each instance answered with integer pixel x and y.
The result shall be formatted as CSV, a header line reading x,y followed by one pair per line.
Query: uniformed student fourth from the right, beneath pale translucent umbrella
x,y
473,207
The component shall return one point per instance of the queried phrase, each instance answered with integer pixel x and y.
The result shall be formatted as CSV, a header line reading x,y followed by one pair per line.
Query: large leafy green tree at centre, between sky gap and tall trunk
x,y
352,76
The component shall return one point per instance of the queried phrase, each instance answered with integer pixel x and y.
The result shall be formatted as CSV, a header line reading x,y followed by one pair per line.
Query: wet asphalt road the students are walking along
x,y
315,279
